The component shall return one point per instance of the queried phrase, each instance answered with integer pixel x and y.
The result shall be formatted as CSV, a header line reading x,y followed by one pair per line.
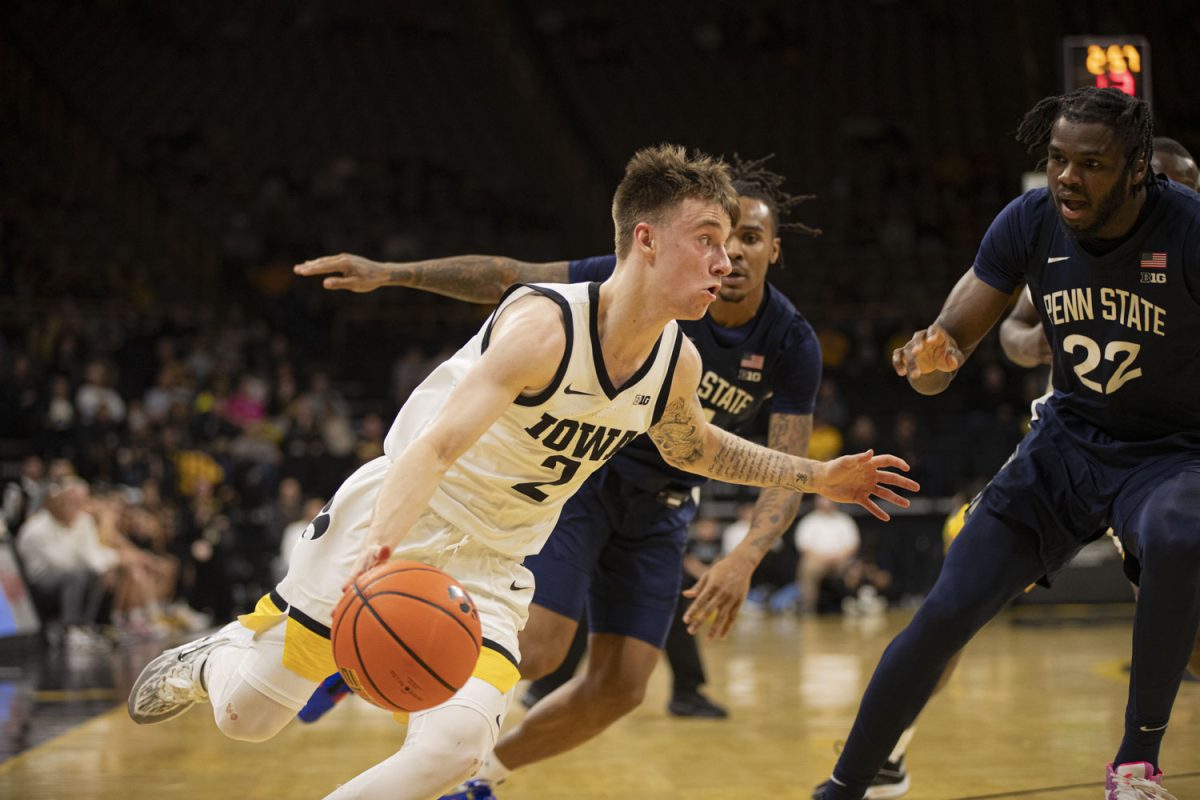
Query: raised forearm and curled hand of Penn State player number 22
x,y
933,357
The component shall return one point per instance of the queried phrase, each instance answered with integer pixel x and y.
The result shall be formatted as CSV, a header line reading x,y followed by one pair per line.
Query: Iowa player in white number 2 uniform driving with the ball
x,y
478,465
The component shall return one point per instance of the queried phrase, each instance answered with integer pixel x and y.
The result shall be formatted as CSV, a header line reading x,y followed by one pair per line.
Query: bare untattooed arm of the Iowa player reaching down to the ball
x,y
526,347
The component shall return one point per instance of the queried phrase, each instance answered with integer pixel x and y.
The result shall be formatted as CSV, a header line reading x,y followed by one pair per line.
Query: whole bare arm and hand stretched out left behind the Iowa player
x,y
475,279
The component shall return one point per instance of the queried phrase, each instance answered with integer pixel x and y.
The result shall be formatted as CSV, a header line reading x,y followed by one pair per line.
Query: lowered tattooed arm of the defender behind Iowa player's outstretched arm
x,y
722,591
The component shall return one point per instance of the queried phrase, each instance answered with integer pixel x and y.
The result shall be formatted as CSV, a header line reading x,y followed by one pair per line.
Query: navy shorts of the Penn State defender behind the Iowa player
x,y
617,550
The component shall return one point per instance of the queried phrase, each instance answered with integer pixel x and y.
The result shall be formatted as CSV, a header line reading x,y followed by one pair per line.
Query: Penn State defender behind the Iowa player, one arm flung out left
x,y
619,546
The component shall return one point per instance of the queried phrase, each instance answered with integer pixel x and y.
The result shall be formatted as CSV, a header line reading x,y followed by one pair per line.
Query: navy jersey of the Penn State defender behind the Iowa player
x,y
773,359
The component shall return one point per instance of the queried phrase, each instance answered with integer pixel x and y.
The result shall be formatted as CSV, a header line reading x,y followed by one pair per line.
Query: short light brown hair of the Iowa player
x,y
658,179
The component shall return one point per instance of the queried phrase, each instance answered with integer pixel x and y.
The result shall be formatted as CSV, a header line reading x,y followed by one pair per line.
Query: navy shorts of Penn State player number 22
x,y
1070,483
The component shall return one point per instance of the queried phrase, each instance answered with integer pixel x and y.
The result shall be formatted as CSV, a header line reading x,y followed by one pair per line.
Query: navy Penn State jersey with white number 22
x,y
1125,327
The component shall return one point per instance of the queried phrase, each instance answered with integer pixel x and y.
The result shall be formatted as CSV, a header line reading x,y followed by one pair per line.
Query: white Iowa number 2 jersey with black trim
x,y
508,490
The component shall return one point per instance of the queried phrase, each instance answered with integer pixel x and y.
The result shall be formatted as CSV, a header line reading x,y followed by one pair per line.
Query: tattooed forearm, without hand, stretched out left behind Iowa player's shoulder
x,y
475,279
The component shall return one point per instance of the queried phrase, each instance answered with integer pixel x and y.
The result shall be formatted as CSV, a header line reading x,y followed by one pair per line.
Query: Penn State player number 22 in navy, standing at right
x,y
1112,256
